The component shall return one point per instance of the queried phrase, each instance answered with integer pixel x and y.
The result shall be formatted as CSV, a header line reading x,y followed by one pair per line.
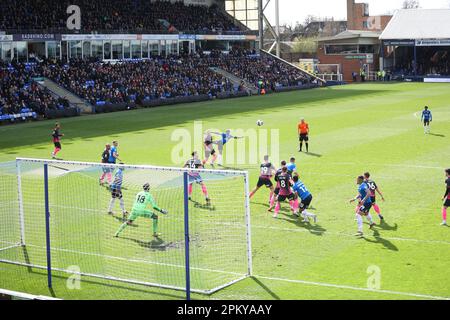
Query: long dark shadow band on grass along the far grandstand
x,y
99,125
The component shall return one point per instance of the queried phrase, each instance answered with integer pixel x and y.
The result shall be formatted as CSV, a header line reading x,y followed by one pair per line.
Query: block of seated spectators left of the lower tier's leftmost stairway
x,y
20,94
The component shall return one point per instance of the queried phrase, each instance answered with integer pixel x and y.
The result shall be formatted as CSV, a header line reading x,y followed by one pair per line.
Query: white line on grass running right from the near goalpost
x,y
329,285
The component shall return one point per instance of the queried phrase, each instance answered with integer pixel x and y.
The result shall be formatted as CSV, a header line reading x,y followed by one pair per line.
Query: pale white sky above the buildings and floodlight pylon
x,y
297,10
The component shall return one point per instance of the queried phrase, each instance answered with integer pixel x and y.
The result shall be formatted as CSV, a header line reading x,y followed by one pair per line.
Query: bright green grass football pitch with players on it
x,y
355,128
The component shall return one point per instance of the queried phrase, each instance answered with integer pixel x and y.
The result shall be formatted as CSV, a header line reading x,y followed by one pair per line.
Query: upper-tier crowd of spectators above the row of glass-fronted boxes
x,y
114,15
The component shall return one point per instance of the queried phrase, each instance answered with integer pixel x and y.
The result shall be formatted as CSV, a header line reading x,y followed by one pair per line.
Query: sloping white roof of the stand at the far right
x,y
418,24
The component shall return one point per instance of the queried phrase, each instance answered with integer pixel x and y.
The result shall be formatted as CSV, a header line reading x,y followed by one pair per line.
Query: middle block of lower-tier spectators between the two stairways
x,y
156,78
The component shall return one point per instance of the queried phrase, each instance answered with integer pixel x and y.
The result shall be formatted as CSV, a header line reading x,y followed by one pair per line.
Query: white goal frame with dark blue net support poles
x,y
48,233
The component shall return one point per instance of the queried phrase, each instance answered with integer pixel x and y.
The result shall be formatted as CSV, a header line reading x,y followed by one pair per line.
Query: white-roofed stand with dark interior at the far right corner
x,y
417,45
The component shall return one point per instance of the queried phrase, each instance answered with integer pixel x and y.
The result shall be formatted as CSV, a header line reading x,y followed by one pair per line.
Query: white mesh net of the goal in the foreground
x,y
78,233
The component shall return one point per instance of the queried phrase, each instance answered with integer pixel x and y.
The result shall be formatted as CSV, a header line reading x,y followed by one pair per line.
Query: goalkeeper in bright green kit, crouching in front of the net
x,y
140,209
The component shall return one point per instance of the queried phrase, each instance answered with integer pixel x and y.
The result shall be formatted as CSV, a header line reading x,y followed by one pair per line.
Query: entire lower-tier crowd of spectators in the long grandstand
x,y
139,81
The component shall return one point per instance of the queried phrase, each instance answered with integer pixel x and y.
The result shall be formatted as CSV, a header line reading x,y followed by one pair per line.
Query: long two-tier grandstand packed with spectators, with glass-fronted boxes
x,y
128,54
